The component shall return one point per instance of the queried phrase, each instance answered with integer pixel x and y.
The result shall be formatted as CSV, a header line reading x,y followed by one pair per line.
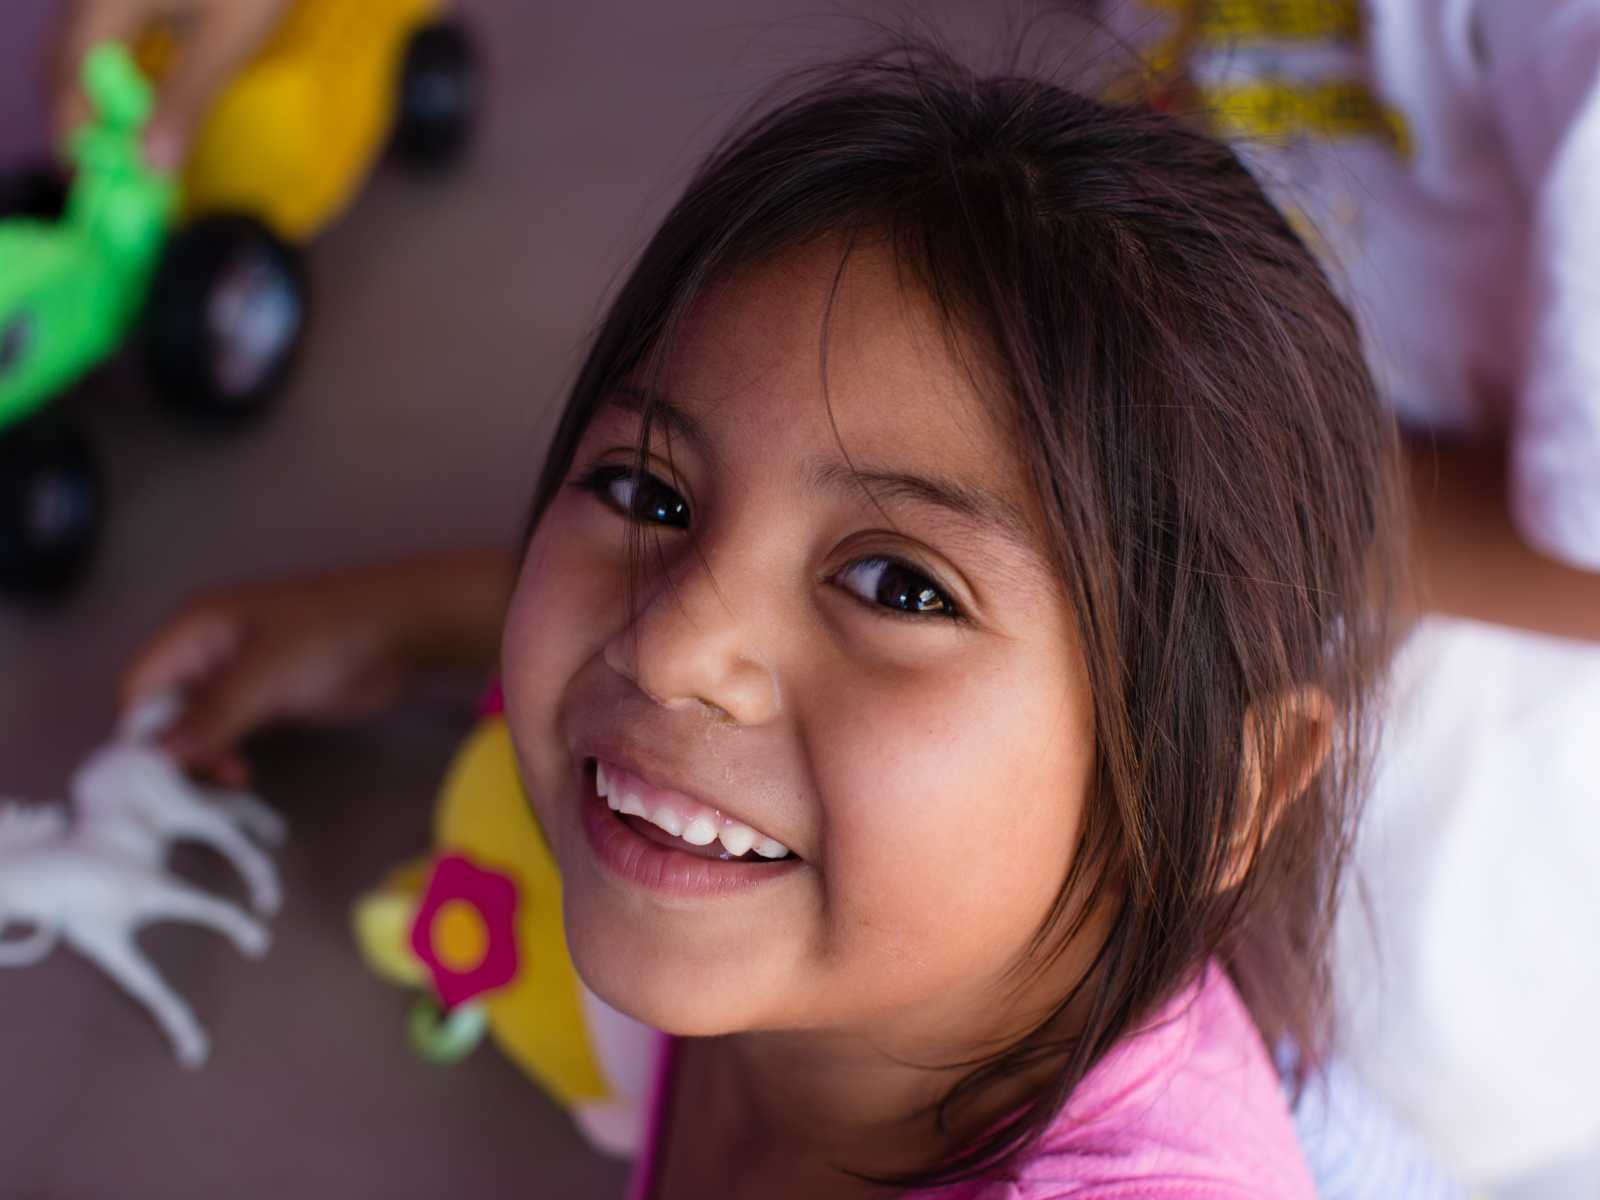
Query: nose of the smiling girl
x,y
692,646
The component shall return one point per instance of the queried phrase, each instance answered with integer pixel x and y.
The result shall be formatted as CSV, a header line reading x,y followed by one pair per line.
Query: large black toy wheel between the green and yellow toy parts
x,y
225,318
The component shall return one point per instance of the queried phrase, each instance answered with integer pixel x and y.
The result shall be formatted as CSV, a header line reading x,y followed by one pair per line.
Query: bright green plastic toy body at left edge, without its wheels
x,y
73,289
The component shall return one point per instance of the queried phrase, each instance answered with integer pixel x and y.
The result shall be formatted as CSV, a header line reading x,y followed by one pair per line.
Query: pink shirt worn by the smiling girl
x,y
1186,1110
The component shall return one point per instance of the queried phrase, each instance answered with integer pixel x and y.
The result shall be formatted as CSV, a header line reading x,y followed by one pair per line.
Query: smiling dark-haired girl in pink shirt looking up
x,y
942,654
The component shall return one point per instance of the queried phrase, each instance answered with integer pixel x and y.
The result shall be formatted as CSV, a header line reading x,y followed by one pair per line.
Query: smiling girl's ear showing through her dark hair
x,y
1286,745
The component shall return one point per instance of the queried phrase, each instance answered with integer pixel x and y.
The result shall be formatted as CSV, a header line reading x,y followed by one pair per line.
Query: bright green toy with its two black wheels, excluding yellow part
x,y
217,305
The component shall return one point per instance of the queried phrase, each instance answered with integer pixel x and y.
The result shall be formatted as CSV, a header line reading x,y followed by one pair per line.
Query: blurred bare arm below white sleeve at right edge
x,y
1468,558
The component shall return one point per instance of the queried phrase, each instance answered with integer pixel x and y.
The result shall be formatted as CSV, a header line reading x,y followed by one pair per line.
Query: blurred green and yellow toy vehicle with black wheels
x,y
204,266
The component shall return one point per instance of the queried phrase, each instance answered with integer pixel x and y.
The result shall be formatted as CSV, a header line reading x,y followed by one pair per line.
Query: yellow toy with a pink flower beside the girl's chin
x,y
476,927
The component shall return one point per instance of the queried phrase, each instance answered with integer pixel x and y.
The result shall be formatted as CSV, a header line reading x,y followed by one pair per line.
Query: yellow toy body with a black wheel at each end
x,y
281,156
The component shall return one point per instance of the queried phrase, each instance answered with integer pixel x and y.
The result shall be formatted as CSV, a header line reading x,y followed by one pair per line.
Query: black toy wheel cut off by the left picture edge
x,y
52,508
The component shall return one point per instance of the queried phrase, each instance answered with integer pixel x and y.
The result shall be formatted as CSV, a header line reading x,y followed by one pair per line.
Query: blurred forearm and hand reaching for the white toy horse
x,y
322,649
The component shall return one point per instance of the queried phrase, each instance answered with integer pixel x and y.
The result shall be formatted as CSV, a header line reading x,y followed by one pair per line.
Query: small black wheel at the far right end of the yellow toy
x,y
441,92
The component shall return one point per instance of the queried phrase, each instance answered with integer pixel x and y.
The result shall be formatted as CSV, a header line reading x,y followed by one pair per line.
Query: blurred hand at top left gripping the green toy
x,y
220,36
